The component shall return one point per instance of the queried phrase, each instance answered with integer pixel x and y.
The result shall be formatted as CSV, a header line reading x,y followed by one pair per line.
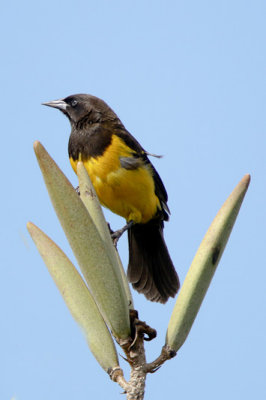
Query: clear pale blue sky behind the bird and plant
x,y
187,78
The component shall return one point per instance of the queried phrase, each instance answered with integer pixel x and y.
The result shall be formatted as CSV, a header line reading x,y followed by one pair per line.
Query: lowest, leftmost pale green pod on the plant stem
x,y
77,297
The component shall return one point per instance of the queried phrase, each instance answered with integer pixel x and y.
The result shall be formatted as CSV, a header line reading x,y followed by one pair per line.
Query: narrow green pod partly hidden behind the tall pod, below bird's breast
x,y
91,202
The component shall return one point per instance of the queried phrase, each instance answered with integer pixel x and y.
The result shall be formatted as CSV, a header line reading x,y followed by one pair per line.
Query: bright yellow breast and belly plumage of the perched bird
x,y
129,193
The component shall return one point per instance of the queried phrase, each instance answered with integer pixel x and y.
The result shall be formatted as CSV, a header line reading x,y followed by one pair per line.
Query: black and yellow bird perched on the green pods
x,y
127,183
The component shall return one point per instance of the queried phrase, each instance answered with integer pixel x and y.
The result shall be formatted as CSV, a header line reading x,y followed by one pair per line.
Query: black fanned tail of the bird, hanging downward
x,y
150,268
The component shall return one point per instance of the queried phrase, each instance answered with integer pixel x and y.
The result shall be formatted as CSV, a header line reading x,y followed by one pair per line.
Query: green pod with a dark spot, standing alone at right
x,y
203,268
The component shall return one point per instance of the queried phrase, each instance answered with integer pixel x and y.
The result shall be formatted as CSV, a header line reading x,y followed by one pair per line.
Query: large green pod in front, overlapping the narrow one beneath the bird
x,y
98,269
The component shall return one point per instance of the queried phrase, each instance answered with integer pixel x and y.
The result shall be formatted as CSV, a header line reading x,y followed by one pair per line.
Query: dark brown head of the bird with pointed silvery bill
x,y
79,106
